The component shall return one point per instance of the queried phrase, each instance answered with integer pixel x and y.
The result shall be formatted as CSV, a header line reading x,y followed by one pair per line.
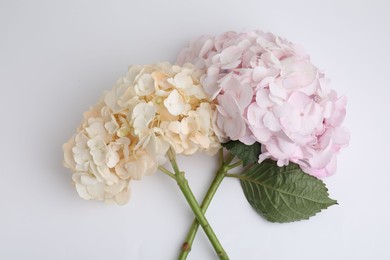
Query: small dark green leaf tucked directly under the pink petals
x,y
246,153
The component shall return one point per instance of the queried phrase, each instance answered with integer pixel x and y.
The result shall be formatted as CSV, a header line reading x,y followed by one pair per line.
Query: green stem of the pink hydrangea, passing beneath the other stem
x,y
220,175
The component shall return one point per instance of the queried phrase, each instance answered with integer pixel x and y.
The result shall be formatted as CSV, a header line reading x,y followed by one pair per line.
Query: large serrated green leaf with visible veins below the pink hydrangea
x,y
284,194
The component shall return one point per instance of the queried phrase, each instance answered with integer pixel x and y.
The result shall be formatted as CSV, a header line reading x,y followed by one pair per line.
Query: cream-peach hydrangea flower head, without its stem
x,y
127,134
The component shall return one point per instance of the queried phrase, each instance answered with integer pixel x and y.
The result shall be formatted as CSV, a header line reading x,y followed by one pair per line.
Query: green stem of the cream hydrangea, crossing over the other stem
x,y
201,219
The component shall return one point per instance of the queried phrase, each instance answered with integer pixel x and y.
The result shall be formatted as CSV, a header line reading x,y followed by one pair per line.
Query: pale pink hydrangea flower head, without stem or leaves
x,y
269,92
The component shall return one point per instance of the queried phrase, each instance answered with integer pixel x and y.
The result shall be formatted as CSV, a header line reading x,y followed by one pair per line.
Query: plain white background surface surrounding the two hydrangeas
x,y
57,57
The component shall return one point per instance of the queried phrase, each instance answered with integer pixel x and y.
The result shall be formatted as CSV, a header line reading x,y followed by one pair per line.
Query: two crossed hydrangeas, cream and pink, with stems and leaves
x,y
253,98
